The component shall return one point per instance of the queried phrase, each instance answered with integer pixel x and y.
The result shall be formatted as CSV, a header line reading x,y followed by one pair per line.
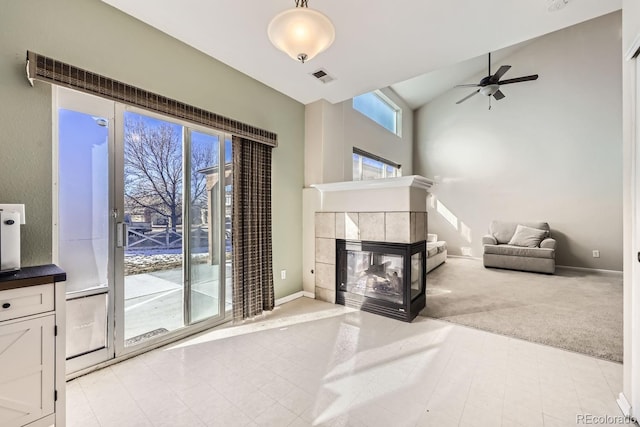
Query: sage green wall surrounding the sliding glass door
x,y
99,38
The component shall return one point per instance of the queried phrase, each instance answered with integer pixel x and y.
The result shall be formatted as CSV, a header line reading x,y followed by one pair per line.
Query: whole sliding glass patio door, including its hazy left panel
x,y
142,228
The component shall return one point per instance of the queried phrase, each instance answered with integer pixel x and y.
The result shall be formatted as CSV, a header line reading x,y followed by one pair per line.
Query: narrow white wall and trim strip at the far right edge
x,y
631,383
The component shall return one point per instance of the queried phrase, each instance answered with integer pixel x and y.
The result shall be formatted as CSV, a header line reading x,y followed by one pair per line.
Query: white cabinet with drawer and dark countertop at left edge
x,y
31,352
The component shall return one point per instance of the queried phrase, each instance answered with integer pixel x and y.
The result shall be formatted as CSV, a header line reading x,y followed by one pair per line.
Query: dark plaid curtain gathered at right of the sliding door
x,y
251,229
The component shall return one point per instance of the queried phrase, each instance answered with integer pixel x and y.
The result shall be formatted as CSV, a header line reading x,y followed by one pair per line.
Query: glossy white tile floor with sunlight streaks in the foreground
x,y
316,364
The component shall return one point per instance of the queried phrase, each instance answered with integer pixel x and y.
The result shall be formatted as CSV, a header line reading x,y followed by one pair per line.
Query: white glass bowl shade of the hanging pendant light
x,y
301,33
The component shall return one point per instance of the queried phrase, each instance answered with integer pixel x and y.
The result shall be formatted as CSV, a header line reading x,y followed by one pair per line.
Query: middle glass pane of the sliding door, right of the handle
x,y
152,226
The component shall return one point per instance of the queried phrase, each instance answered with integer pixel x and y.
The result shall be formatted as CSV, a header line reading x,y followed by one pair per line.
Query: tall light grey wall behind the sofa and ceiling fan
x,y
551,150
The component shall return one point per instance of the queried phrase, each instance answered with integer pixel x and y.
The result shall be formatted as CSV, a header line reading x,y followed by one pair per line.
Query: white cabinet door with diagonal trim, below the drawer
x,y
26,370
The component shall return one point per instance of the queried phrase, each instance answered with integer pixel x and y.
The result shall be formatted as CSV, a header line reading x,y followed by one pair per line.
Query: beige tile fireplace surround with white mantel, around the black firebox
x,y
388,211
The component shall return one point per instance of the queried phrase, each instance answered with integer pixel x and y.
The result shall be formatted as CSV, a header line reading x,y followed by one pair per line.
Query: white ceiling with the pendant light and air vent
x,y
378,42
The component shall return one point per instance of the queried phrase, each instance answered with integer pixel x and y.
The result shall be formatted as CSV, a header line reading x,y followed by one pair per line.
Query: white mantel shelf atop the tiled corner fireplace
x,y
401,194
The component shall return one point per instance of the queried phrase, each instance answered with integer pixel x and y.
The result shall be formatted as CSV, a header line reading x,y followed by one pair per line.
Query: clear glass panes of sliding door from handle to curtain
x,y
173,240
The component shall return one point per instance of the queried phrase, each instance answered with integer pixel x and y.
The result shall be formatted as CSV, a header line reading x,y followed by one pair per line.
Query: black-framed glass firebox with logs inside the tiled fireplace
x,y
382,278
